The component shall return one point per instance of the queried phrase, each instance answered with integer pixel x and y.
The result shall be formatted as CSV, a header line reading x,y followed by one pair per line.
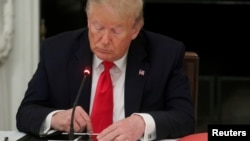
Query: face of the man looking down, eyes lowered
x,y
109,34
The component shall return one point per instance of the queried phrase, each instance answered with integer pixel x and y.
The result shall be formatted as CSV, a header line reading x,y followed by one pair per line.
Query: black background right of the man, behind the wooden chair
x,y
217,31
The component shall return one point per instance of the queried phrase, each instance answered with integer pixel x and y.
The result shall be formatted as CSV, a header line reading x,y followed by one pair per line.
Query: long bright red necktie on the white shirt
x,y
102,111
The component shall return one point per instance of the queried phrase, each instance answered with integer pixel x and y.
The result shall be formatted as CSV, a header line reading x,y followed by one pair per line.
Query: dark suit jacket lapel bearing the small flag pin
x,y
137,68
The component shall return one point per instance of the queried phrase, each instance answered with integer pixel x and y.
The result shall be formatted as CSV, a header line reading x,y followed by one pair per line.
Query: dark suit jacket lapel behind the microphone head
x,y
82,59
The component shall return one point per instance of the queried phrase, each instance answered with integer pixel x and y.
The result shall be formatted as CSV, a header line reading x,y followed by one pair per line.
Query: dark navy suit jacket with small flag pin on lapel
x,y
162,91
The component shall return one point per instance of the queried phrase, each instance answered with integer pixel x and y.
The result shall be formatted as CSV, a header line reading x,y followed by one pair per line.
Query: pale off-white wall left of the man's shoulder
x,y
19,65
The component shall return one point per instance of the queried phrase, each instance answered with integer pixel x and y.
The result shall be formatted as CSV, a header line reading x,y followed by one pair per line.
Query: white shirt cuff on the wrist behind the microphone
x,y
46,125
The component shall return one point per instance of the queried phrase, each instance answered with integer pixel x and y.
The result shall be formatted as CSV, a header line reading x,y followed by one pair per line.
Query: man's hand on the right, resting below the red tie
x,y
129,129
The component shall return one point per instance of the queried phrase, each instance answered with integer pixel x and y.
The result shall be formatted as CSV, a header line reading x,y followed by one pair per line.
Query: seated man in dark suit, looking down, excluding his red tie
x,y
152,97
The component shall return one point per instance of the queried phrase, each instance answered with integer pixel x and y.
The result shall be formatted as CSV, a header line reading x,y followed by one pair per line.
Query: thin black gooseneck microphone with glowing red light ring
x,y
86,73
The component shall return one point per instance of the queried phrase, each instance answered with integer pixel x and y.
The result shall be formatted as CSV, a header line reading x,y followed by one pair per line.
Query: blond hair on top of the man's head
x,y
126,8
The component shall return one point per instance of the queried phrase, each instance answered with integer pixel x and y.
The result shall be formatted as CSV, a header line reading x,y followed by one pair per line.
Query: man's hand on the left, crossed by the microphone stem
x,y
61,120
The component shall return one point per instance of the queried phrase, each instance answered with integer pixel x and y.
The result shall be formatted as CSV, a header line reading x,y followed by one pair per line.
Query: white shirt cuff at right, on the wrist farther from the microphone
x,y
150,130
